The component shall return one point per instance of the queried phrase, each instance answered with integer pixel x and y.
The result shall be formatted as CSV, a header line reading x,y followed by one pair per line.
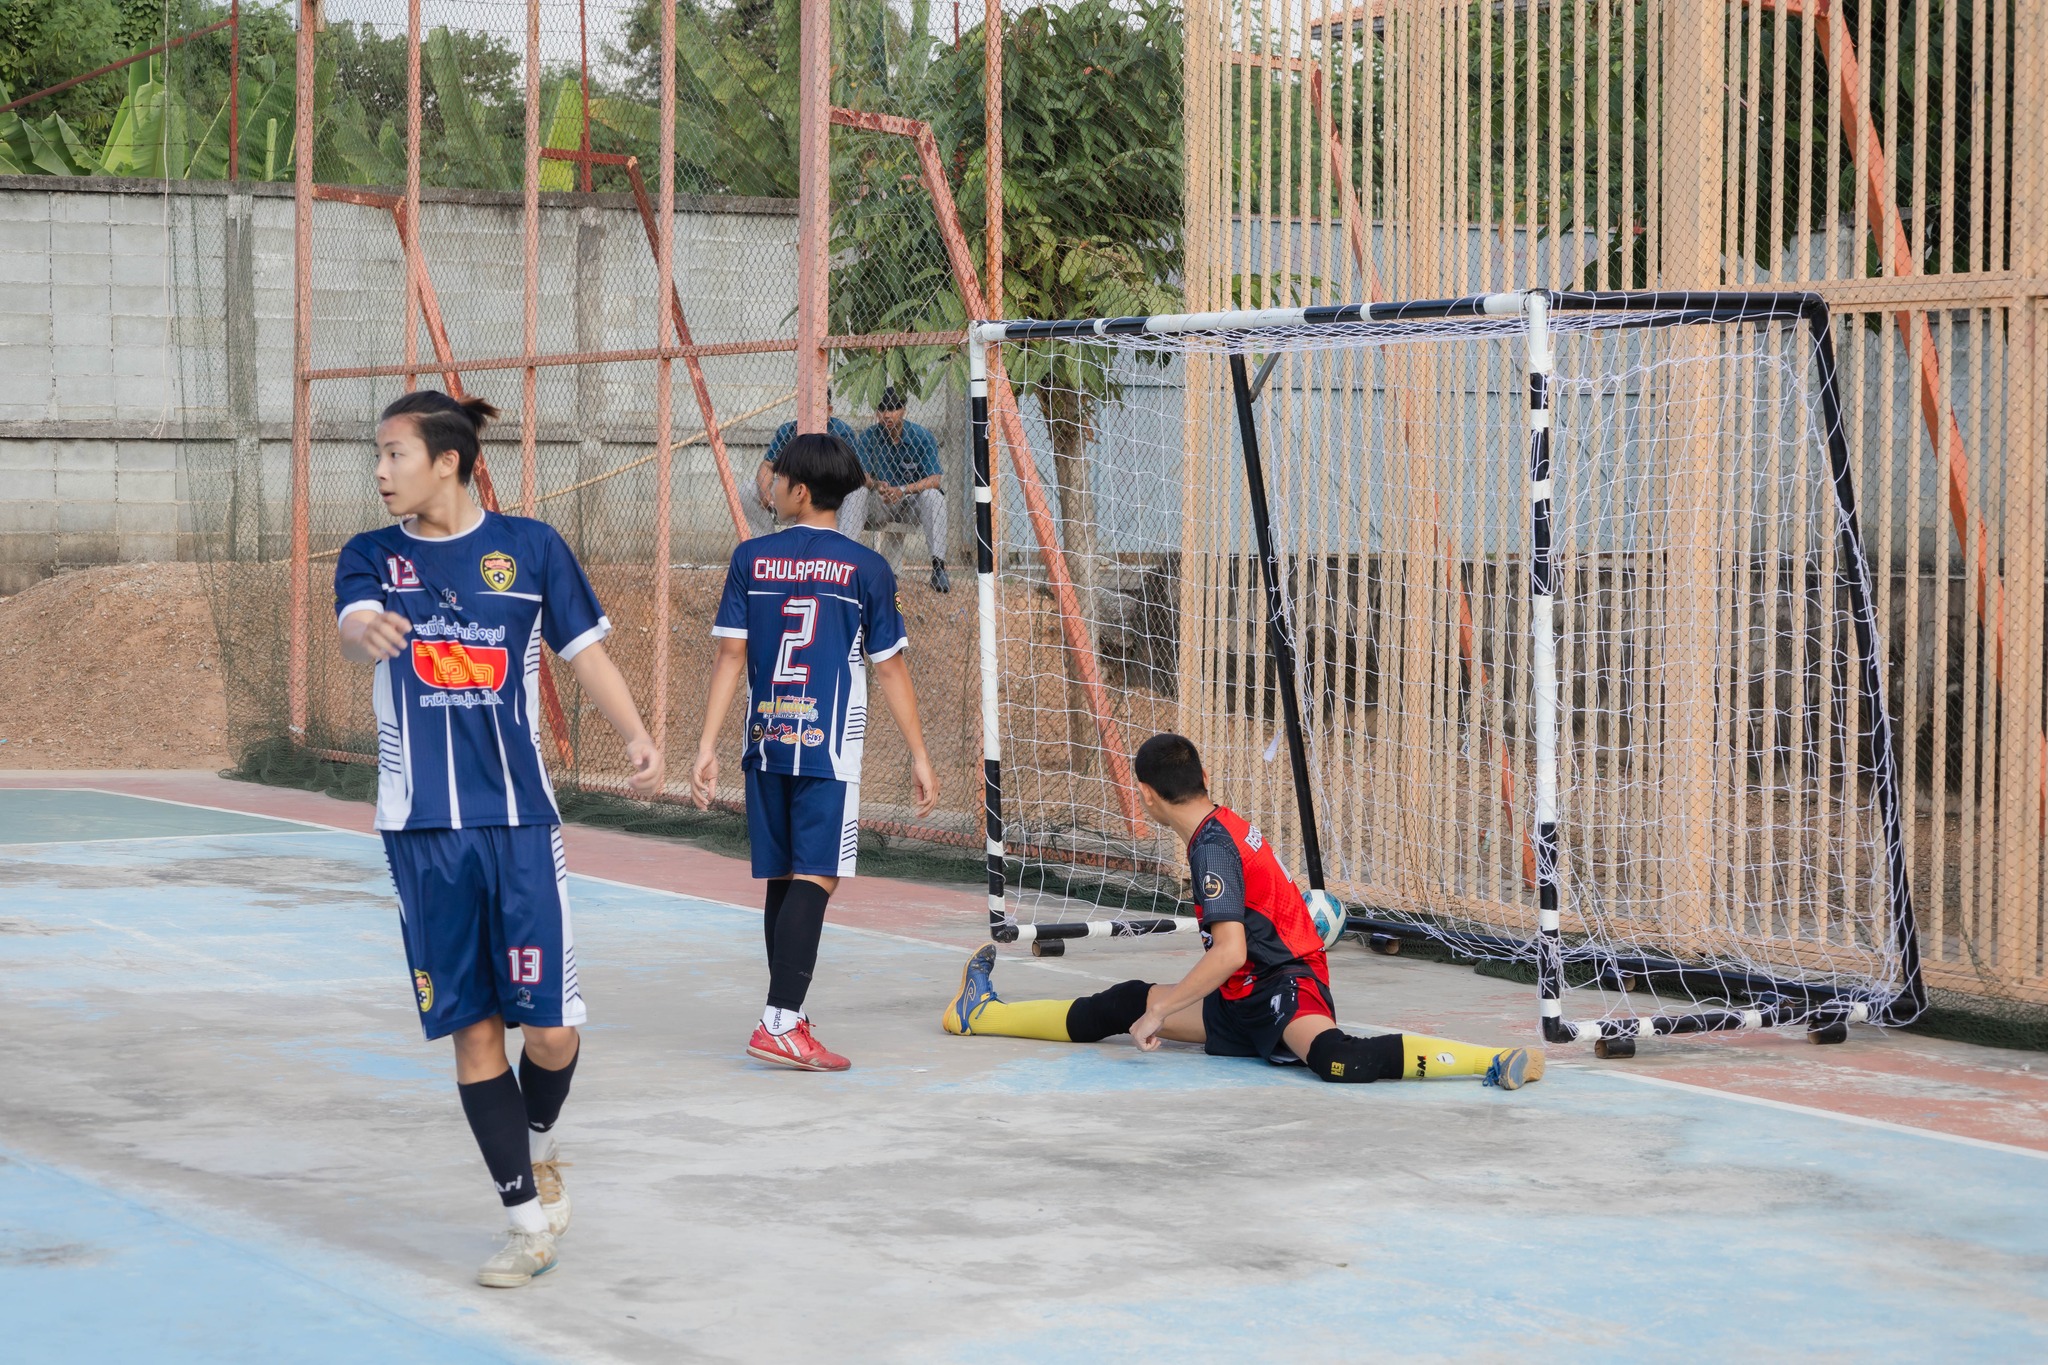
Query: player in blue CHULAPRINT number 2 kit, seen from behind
x,y
802,609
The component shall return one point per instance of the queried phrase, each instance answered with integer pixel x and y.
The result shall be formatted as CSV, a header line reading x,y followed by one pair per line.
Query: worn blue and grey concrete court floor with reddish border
x,y
222,1139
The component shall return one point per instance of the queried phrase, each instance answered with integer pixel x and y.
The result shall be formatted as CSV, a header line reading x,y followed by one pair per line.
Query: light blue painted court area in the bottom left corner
x,y
95,1276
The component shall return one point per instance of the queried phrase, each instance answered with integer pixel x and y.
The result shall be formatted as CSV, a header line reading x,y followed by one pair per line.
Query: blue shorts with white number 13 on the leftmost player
x,y
486,922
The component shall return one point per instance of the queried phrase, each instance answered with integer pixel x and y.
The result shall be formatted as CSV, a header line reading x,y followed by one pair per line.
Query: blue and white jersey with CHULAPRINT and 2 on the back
x,y
810,603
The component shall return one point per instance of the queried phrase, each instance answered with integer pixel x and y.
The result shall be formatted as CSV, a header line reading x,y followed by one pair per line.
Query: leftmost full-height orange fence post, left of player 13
x,y
302,359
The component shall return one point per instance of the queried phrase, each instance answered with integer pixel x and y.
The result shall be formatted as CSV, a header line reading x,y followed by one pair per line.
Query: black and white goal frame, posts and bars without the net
x,y
1766,1000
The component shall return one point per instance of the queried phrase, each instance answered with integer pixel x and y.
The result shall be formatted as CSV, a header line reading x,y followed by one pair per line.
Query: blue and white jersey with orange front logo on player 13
x,y
458,711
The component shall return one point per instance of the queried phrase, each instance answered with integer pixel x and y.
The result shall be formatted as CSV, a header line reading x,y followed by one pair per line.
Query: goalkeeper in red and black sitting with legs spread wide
x,y
1263,985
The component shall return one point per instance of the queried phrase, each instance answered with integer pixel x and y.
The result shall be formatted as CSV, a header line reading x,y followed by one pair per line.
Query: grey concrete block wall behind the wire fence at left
x,y
126,425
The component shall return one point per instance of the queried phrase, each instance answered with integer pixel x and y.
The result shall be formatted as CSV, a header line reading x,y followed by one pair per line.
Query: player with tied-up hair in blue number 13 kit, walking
x,y
454,605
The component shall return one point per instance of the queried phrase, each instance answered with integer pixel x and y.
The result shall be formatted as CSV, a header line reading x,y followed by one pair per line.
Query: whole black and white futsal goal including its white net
x,y
1531,625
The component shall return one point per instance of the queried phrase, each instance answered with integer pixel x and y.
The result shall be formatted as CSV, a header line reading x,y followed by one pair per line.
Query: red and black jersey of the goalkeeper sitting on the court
x,y
1238,877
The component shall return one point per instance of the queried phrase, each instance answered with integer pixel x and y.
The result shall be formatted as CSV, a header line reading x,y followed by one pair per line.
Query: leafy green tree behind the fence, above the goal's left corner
x,y
1093,193
